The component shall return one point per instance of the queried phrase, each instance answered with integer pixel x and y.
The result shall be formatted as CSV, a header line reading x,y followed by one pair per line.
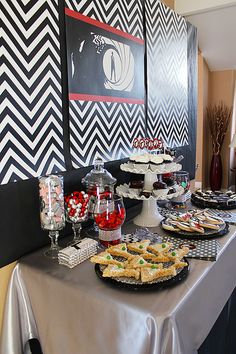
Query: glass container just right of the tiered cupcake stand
x,y
182,180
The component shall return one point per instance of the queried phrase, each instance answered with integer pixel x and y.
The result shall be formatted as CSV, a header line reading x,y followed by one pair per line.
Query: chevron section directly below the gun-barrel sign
x,y
103,129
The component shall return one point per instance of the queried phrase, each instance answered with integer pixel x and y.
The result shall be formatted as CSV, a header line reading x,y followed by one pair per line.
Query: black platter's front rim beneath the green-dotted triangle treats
x,y
135,285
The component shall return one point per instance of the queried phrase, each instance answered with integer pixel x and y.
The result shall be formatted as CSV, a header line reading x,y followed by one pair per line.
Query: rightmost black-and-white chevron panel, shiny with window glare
x,y
167,111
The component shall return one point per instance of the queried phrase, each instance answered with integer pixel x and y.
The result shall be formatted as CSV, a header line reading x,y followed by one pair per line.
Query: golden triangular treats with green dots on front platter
x,y
141,263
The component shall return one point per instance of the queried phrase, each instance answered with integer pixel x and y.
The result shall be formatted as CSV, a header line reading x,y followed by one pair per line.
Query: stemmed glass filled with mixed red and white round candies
x,y
77,208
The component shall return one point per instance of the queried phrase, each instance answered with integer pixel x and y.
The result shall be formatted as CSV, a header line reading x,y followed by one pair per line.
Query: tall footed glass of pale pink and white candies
x,y
52,212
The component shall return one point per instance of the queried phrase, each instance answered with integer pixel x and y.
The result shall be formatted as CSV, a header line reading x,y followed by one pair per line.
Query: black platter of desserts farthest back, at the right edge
x,y
217,200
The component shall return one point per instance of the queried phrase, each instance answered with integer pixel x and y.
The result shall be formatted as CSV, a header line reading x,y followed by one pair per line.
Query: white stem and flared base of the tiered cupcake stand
x,y
149,216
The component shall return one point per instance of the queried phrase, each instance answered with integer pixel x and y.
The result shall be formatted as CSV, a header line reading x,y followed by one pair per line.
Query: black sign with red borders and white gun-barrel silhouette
x,y
104,63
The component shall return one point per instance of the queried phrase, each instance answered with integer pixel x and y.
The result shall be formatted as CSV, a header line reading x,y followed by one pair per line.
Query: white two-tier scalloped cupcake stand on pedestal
x,y
149,216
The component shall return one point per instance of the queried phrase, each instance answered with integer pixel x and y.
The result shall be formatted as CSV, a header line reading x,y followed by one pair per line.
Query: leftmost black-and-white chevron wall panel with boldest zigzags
x,y
30,103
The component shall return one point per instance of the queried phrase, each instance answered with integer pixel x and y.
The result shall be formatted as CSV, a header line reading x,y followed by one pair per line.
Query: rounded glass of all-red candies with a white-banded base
x,y
109,215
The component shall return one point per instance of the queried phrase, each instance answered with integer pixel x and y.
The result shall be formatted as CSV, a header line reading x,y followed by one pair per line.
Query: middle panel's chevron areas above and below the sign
x,y
106,129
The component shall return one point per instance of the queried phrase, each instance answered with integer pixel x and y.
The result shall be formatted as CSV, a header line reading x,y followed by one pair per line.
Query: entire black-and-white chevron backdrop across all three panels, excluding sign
x,y
31,125
